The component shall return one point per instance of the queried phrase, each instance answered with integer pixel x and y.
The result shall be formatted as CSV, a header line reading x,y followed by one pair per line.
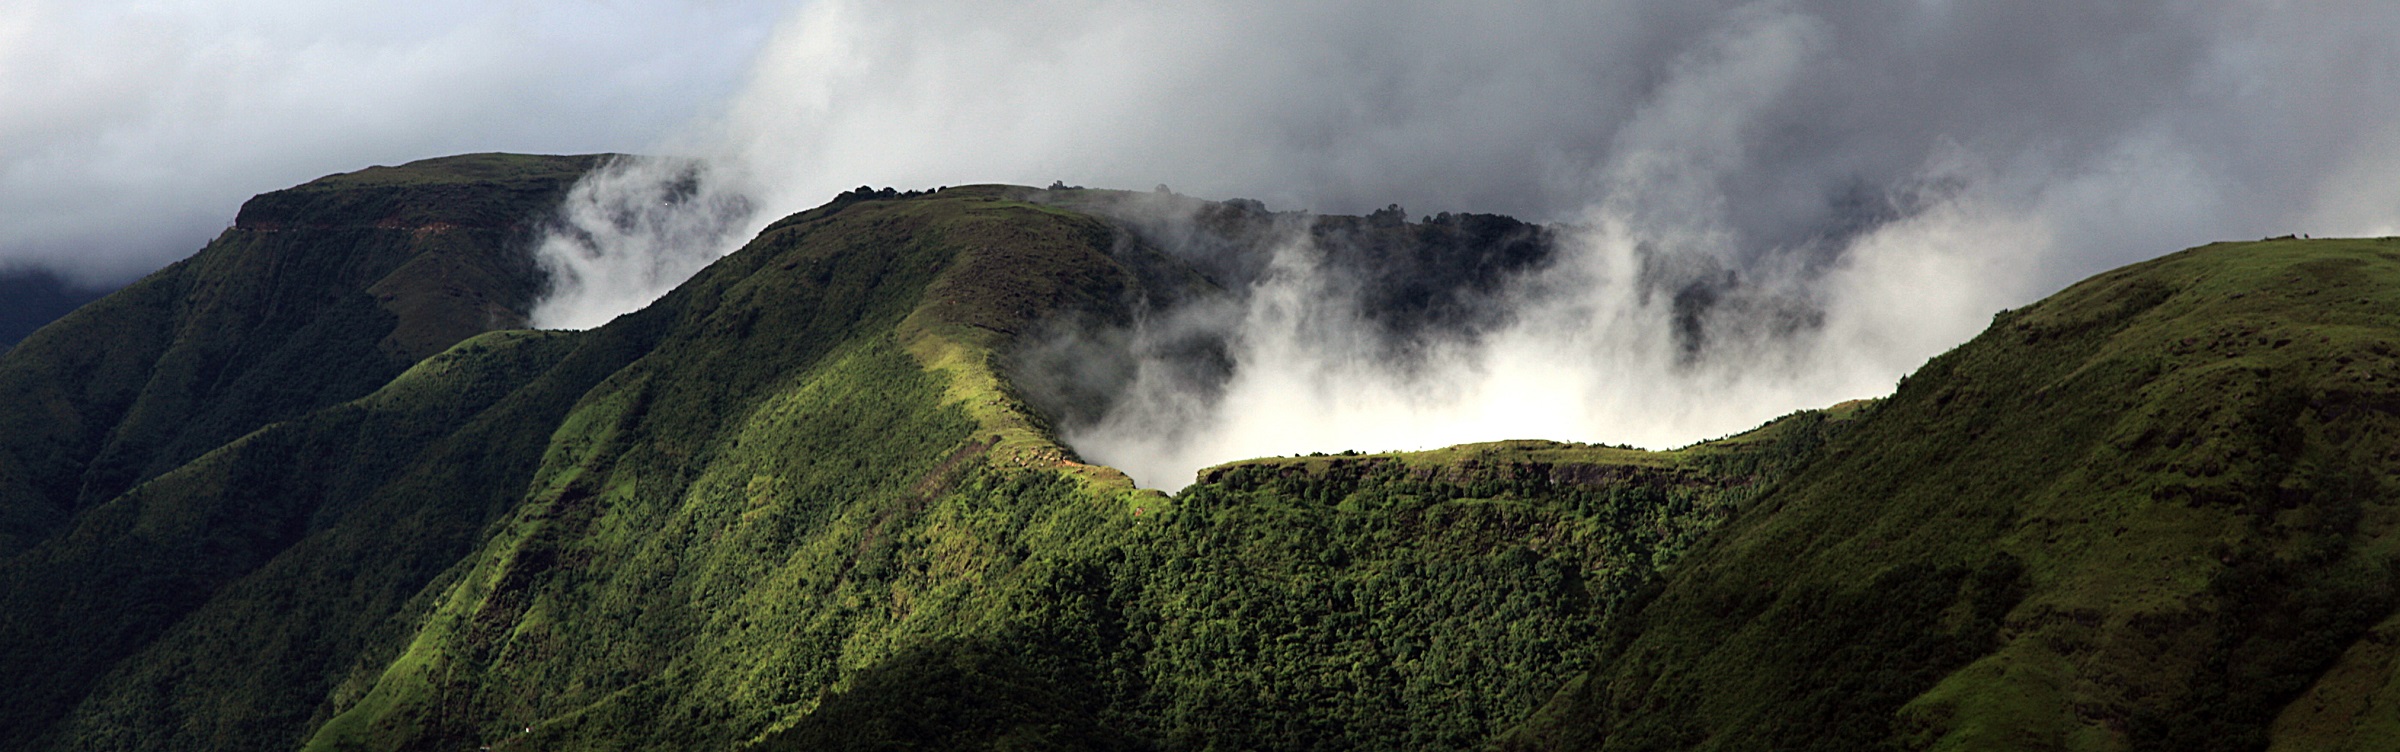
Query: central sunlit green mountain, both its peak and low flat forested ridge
x,y
817,515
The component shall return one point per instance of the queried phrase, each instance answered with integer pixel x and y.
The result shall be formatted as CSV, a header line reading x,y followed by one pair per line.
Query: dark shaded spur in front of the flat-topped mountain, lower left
x,y
268,568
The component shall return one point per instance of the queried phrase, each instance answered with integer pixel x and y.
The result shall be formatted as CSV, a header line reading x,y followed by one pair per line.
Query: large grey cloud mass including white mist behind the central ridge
x,y
1900,169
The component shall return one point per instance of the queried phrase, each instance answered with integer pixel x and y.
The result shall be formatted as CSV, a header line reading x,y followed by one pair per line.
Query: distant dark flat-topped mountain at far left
x,y
316,297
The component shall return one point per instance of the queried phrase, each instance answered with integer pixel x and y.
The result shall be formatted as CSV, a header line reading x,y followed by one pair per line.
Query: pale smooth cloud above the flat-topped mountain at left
x,y
133,131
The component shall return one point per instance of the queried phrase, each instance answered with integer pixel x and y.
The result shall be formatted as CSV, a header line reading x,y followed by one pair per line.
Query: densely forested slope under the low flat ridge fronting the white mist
x,y
1396,602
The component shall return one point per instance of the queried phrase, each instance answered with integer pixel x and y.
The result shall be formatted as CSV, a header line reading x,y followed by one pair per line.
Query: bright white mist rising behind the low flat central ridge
x,y
1590,350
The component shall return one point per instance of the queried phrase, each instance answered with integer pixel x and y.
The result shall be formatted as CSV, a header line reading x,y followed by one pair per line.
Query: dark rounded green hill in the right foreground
x,y
2152,513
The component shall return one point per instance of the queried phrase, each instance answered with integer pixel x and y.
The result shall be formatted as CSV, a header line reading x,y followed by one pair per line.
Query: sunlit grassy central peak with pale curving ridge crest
x,y
839,412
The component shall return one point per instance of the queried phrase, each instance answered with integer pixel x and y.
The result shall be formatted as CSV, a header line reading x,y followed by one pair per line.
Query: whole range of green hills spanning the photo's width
x,y
323,496
